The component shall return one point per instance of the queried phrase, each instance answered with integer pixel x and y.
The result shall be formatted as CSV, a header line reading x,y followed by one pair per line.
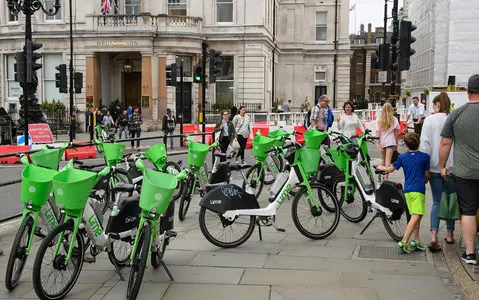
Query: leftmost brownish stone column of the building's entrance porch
x,y
93,80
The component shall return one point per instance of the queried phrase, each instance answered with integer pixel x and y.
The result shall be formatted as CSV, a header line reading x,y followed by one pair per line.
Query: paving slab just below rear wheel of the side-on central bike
x,y
226,259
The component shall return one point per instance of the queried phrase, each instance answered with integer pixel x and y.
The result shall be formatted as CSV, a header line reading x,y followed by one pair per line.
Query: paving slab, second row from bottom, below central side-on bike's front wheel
x,y
290,277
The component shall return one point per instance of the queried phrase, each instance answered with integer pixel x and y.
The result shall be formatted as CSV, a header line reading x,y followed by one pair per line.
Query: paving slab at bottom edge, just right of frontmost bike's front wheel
x,y
217,292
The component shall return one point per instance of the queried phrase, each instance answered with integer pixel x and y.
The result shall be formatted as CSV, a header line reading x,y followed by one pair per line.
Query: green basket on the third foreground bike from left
x,y
156,190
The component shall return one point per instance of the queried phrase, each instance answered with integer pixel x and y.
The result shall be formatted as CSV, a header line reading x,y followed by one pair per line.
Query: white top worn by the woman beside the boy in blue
x,y
431,139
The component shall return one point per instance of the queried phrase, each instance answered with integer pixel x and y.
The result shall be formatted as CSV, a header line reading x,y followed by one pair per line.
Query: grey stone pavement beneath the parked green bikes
x,y
282,266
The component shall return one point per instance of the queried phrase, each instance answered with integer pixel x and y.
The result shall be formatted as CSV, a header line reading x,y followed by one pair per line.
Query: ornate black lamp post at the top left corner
x,y
29,7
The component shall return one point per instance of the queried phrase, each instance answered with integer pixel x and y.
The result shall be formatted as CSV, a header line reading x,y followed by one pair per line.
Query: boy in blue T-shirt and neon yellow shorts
x,y
416,174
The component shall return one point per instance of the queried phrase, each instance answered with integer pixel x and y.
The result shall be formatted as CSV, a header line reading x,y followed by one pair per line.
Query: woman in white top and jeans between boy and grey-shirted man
x,y
430,140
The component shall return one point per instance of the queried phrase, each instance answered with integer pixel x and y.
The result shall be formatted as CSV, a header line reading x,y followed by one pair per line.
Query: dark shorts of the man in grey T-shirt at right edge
x,y
468,195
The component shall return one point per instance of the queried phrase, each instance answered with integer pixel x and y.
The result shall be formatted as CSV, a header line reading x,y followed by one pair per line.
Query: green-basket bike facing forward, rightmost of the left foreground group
x,y
156,224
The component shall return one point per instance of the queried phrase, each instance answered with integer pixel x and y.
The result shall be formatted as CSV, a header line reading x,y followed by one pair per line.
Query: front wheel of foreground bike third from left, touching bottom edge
x,y
138,265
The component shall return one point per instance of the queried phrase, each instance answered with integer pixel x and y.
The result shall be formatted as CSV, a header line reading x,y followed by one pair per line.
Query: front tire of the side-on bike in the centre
x,y
296,219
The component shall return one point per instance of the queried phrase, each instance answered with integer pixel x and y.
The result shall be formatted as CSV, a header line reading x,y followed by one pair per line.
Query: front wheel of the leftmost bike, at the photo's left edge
x,y
18,254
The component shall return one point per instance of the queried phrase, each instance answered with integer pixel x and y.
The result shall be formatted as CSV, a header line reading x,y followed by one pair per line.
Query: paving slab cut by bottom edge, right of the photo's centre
x,y
330,293
